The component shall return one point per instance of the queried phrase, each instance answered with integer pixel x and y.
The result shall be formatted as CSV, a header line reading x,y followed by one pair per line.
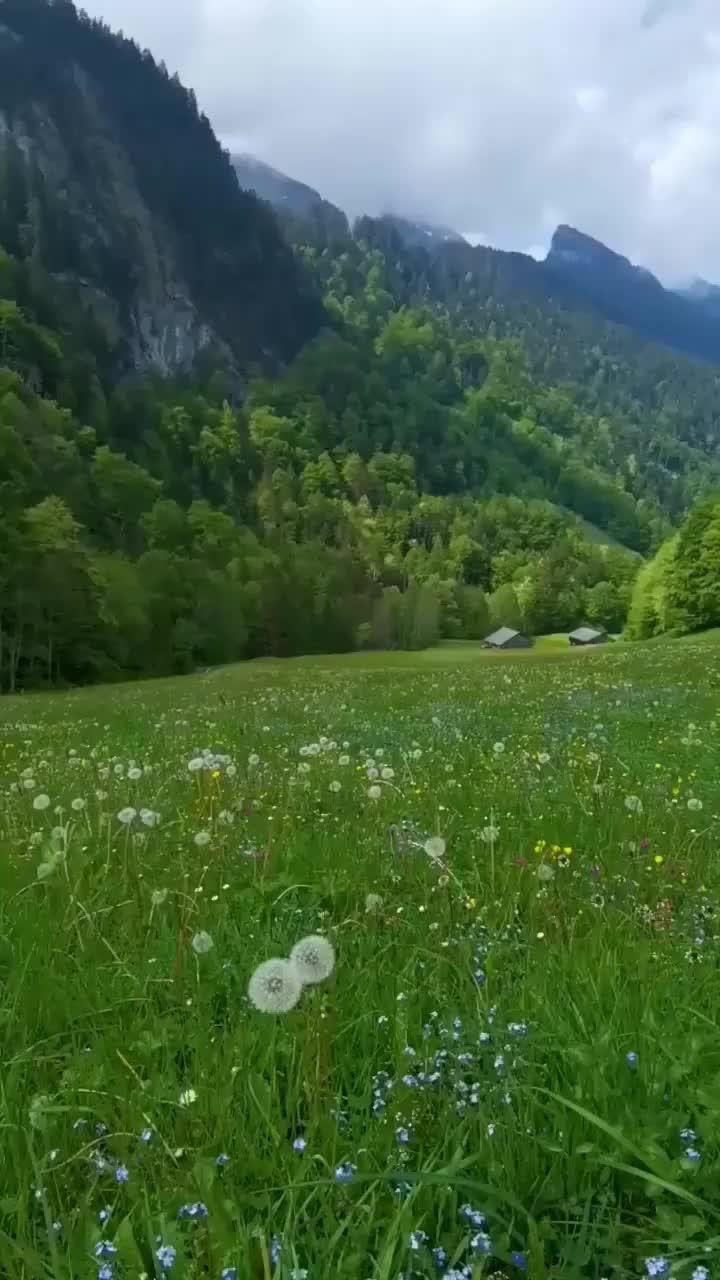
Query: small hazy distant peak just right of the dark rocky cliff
x,y
300,208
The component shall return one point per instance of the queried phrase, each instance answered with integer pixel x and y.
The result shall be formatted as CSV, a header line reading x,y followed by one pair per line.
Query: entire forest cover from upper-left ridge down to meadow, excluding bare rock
x,y
430,460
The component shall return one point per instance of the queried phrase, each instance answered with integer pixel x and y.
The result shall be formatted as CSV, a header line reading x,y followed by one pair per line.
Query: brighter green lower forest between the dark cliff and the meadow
x,y
394,486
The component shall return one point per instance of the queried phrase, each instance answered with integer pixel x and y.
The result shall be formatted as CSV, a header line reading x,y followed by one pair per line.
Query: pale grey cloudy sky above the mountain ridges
x,y
500,118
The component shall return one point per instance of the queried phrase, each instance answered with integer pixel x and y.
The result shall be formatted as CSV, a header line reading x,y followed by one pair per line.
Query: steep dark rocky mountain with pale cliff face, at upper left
x,y
113,184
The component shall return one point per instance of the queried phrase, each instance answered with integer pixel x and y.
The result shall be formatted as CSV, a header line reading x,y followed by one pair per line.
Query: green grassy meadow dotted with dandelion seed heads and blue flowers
x,y
514,1067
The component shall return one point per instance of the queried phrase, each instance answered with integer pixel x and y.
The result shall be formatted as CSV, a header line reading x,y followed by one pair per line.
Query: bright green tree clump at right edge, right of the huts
x,y
680,589
